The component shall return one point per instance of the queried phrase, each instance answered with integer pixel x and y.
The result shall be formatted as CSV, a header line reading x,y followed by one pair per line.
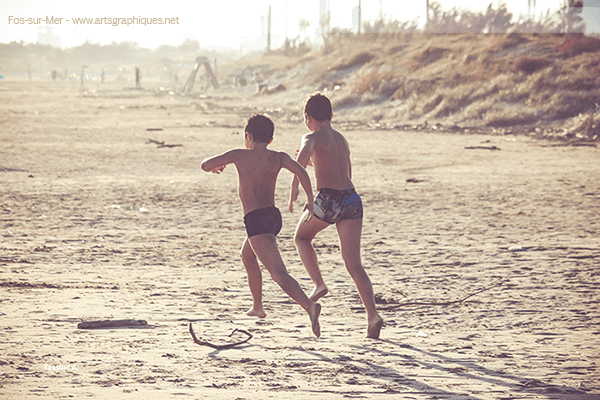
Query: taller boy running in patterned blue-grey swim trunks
x,y
336,203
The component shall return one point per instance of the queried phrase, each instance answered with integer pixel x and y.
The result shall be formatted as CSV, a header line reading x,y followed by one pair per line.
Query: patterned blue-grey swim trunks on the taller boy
x,y
333,205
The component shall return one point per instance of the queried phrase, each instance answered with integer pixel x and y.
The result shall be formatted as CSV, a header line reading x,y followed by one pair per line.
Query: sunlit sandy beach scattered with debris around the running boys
x,y
483,250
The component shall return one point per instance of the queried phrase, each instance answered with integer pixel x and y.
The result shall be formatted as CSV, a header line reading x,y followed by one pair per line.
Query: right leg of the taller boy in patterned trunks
x,y
349,232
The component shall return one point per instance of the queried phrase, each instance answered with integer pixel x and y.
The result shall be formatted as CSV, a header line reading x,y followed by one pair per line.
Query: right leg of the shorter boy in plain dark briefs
x,y
265,248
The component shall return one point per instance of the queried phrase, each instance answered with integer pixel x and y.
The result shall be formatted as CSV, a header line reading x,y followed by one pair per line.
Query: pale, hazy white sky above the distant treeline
x,y
151,26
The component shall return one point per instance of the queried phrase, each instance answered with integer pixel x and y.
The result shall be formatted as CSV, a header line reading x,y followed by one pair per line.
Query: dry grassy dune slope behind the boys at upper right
x,y
494,80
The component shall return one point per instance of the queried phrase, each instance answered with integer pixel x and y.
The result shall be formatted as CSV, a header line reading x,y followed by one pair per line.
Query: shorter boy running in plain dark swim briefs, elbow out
x,y
258,168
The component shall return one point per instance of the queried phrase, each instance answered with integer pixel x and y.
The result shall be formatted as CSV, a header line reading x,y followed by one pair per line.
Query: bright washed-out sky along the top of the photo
x,y
227,23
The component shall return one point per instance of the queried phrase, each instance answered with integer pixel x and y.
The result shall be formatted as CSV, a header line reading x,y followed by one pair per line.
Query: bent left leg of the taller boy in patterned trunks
x,y
305,233
